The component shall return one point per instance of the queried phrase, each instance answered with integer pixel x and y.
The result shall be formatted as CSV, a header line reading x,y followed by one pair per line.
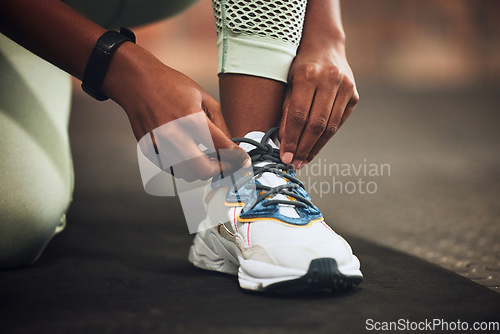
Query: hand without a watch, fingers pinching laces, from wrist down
x,y
321,95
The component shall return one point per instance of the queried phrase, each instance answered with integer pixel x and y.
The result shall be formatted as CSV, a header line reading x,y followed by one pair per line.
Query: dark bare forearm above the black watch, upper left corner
x,y
51,30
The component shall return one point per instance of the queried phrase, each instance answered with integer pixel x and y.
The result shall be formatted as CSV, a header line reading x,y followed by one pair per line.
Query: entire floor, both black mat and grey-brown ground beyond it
x,y
121,265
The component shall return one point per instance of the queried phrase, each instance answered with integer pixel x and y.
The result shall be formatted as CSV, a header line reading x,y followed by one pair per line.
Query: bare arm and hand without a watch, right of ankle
x,y
321,91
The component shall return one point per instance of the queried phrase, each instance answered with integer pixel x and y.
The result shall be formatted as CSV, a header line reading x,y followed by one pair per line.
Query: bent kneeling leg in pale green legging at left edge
x,y
36,175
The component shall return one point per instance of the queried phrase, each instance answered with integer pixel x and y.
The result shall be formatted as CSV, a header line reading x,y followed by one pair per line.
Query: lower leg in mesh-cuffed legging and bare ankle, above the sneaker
x,y
254,60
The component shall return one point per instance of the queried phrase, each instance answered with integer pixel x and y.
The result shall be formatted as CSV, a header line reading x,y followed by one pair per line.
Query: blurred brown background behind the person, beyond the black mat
x,y
428,73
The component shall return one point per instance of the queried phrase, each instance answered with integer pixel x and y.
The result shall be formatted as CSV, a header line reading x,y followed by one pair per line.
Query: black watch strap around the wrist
x,y
100,58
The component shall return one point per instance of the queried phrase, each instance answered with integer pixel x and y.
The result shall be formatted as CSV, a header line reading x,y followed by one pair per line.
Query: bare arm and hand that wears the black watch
x,y
151,93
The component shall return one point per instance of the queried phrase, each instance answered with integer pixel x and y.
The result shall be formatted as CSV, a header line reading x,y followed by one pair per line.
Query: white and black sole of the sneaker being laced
x,y
323,274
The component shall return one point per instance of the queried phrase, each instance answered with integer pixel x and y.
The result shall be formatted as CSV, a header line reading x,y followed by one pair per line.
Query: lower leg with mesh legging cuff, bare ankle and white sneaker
x,y
276,241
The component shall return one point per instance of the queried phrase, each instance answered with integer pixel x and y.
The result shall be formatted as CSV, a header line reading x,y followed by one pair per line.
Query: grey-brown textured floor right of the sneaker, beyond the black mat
x,y
442,199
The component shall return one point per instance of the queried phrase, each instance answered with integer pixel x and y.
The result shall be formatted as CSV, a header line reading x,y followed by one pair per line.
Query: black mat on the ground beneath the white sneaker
x,y
121,268
